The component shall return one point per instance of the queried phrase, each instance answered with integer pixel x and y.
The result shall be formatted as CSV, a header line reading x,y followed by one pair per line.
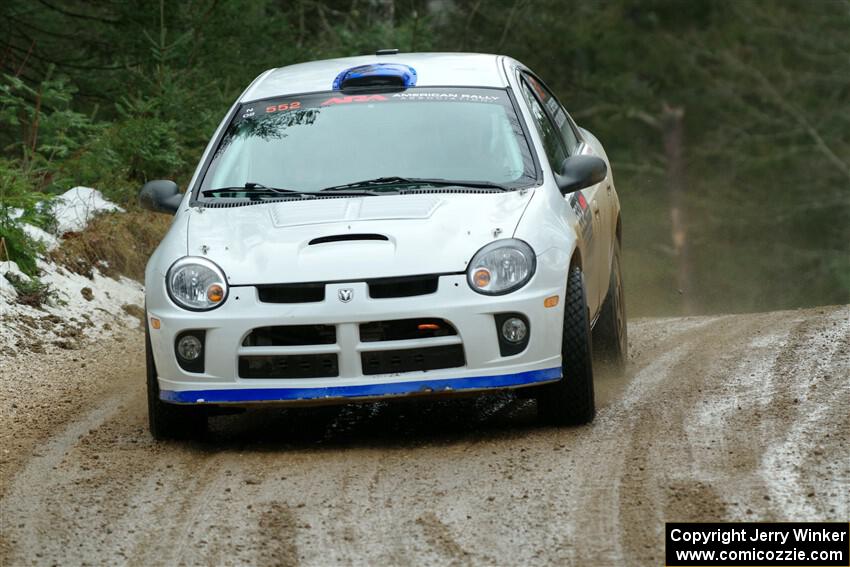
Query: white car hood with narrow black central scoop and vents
x,y
352,238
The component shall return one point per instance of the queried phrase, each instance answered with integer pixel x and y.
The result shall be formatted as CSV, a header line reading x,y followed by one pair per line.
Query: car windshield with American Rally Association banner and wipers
x,y
307,143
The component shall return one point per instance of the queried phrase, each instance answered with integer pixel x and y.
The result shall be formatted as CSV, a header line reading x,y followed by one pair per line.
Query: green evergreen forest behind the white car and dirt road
x,y
727,122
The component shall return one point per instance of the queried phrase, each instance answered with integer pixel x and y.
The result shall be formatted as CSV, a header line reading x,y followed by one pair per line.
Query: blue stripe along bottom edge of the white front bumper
x,y
361,391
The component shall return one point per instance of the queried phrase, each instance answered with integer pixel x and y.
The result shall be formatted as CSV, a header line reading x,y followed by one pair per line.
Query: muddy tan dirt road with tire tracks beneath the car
x,y
740,417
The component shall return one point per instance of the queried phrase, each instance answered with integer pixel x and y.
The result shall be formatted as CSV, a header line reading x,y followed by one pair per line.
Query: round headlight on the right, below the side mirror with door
x,y
501,267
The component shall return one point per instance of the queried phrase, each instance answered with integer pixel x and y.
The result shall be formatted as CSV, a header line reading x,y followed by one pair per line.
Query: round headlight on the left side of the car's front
x,y
196,284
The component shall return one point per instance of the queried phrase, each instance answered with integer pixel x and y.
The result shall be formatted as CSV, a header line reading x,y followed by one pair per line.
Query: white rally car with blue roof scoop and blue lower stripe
x,y
385,226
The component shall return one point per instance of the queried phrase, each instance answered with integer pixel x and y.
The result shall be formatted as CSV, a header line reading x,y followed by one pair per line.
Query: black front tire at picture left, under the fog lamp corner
x,y
169,421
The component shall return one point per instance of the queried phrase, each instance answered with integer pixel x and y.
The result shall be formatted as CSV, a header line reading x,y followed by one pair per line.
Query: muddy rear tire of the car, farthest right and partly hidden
x,y
610,337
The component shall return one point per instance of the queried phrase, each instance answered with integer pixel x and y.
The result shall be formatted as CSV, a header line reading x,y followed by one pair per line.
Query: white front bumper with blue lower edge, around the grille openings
x,y
470,313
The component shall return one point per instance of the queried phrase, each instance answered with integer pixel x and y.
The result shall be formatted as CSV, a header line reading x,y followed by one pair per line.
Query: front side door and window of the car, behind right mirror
x,y
560,140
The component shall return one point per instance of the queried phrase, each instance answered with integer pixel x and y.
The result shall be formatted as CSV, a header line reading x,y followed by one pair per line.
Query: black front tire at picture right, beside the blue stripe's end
x,y
570,401
